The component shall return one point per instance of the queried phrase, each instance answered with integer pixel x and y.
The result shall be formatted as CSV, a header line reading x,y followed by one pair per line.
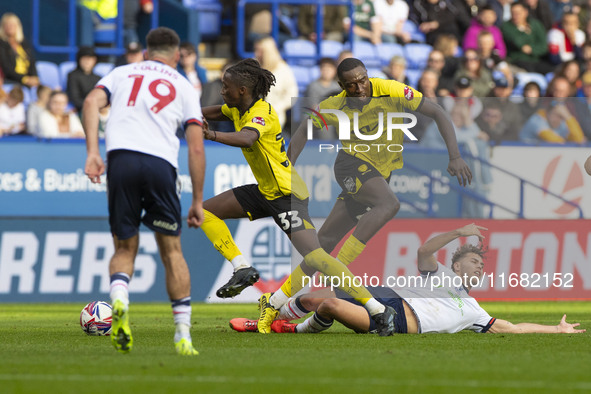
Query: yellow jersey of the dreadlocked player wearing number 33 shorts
x,y
267,157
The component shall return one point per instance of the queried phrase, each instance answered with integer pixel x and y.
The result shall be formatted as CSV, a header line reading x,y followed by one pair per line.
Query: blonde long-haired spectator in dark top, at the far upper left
x,y
17,60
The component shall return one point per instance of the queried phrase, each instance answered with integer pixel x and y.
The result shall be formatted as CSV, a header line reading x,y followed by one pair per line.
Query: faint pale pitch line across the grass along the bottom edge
x,y
517,384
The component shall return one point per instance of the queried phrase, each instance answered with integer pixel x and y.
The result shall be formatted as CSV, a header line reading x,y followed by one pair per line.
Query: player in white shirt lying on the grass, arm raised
x,y
438,306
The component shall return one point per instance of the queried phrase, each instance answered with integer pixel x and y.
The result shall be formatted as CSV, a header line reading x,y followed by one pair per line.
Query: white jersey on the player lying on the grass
x,y
444,308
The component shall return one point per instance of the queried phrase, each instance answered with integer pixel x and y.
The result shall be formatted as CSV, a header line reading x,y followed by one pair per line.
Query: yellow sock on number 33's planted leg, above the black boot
x,y
330,266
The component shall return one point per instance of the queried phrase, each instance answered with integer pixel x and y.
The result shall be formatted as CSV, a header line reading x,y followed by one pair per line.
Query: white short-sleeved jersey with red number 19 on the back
x,y
149,102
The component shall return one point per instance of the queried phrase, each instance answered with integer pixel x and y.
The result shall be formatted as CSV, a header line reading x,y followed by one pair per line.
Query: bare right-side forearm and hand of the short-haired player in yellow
x,y
457,166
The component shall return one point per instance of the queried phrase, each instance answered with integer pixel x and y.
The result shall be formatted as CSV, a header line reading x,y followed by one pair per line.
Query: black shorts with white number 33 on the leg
x,y
290,213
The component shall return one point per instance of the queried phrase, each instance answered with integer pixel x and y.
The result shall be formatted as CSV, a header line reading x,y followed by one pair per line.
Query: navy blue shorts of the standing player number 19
x,y
139,182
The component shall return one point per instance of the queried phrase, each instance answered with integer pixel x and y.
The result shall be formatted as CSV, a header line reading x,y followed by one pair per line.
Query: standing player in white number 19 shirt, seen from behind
x,y
149,101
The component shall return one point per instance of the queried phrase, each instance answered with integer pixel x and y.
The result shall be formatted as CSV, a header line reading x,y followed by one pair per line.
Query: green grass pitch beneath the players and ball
x,y
43,350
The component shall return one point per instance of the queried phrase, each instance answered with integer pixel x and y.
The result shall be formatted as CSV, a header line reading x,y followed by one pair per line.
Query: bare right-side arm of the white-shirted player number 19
x,y
194,136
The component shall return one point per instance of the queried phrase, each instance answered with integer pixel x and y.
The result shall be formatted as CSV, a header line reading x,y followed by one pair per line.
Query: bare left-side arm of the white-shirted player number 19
x,y
94,101
